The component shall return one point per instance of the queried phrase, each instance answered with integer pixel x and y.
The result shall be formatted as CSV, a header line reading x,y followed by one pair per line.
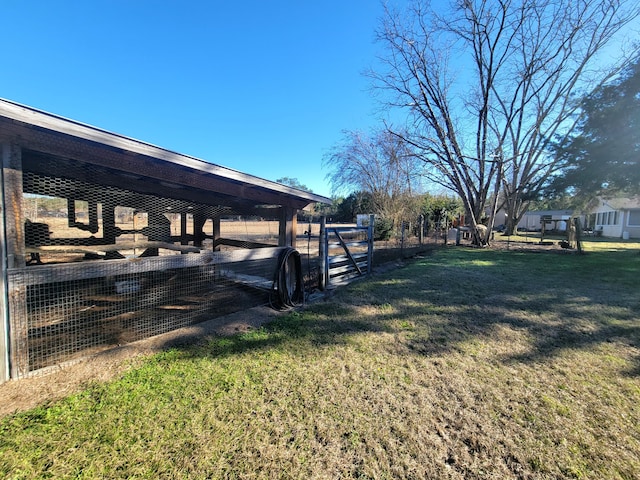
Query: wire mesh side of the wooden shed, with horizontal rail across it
x,y
106,265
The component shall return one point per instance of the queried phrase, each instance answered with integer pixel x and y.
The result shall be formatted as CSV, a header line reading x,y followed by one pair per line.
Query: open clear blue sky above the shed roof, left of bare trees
x,y
264,87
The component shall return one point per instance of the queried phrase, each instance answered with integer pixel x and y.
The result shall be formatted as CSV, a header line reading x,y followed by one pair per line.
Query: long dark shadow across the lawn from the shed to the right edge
x,y
460,295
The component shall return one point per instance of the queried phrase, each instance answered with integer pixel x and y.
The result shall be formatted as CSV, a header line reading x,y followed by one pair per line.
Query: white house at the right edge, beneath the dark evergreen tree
x,y
618,217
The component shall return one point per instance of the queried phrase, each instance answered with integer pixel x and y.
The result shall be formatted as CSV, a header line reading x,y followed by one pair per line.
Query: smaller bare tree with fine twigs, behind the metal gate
x,y
380,164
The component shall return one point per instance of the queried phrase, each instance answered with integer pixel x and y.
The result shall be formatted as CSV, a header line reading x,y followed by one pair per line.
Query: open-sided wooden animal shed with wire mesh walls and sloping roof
x,y
106,239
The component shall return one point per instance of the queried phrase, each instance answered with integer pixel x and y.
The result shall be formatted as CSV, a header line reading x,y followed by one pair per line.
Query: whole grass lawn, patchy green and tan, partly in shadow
x,y
464,364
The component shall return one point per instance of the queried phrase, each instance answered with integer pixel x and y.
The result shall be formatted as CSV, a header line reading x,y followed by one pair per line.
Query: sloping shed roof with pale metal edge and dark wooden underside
x,y
145,166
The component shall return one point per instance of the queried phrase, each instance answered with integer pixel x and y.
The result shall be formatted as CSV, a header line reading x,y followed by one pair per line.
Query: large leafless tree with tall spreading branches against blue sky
x,y
488,84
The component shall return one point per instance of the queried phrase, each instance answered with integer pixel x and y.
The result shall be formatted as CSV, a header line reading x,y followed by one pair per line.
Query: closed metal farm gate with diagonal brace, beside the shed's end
x,y
345,252
